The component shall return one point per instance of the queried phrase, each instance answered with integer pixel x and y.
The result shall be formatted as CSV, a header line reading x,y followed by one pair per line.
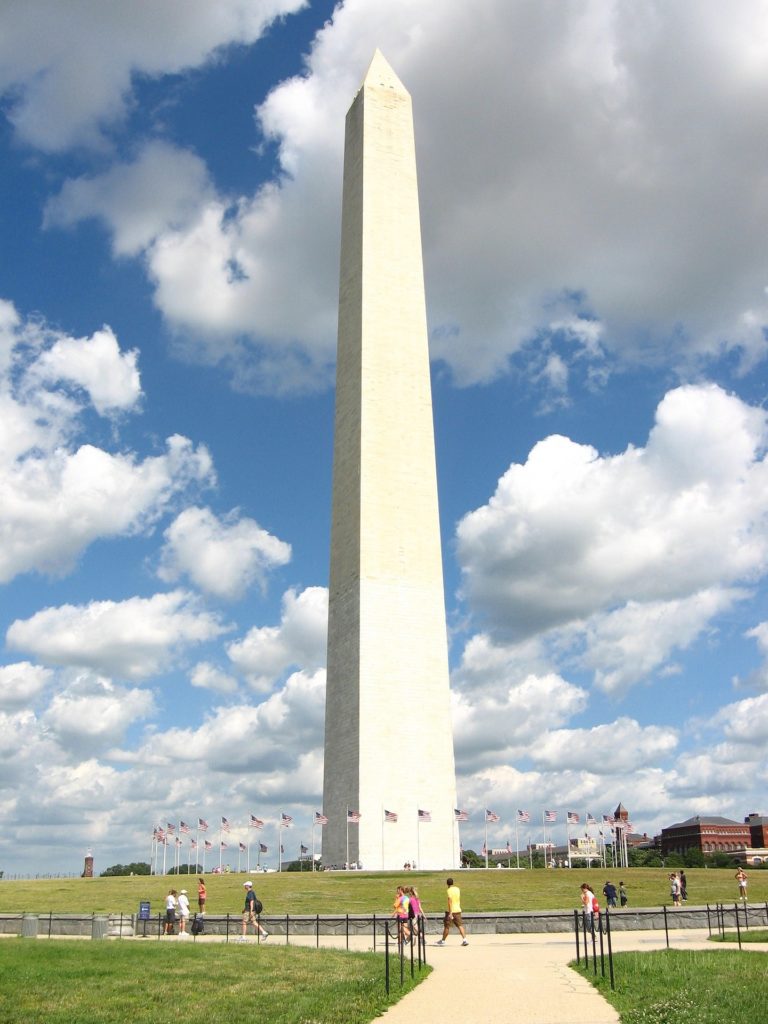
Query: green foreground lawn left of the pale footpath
x,y
84,983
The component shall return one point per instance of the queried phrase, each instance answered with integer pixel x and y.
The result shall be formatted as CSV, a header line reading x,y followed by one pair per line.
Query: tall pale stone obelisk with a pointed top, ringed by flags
x,y
389,734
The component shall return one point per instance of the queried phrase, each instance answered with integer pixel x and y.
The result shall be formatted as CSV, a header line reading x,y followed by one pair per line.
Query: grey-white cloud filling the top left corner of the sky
x,y
67,70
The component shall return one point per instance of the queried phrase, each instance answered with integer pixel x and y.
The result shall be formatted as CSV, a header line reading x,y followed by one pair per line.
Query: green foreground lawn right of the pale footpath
x,y
678,987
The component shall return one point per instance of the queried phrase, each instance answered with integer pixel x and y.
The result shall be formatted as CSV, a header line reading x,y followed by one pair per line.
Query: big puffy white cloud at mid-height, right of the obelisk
x,y
668,529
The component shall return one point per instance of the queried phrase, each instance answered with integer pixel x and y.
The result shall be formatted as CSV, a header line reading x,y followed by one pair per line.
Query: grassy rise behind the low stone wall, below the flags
x,y
328,892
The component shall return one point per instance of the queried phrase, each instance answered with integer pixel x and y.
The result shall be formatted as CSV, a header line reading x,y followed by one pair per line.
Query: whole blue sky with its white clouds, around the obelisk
x,y
593,203
